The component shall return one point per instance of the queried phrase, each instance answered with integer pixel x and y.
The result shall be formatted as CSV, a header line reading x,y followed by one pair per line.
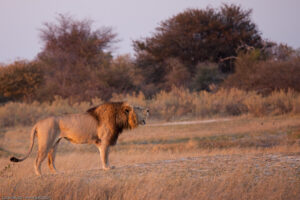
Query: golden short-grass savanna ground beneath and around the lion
x,y
232,158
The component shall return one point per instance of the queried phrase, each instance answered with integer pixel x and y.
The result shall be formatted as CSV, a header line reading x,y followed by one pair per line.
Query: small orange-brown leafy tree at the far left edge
x,y
20,81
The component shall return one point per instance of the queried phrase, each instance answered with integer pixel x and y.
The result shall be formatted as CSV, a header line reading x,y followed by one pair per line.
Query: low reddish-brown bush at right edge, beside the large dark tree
x,y
264,77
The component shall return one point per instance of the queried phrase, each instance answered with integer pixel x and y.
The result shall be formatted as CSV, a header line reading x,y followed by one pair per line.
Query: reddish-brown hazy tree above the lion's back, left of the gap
x,y
73,57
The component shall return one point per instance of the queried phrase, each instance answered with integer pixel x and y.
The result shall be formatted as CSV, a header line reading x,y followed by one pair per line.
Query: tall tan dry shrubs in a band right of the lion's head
x,y
180,103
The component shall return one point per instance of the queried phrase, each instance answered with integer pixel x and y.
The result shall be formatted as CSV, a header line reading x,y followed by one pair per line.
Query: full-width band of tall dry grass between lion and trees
x,y
178,104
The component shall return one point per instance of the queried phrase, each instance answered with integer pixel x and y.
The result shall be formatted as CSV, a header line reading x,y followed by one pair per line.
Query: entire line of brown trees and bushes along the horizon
x,y
198,49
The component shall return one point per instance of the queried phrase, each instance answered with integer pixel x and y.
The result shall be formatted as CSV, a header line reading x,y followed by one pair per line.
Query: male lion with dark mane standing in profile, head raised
x,y
100,125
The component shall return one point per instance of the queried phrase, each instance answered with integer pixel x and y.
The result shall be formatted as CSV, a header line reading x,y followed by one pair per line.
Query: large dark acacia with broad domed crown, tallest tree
x,y
195,36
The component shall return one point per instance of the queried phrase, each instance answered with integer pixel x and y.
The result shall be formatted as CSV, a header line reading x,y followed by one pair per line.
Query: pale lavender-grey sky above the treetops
x,y
20,20
